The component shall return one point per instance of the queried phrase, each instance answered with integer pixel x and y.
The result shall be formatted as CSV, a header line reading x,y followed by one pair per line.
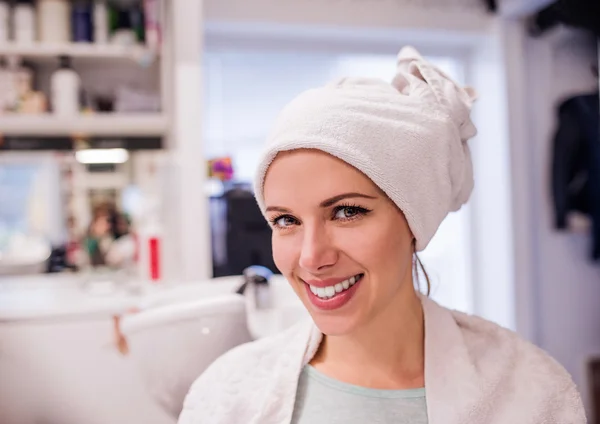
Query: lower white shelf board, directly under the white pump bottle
x,y
120,125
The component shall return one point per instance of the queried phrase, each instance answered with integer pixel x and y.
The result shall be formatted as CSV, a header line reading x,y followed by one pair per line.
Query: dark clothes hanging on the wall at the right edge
x,y
576,163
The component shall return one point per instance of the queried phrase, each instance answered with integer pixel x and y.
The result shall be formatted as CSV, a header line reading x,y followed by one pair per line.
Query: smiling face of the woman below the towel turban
x,y
343,245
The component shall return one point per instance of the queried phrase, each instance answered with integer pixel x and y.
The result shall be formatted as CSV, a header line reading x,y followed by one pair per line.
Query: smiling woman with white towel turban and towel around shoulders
x,y
356,178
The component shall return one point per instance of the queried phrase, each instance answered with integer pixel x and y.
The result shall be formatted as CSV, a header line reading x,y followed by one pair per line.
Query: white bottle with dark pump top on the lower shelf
x,y
65,88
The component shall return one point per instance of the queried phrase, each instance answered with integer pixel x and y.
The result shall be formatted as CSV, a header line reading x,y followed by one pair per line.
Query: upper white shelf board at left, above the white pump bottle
x,y
46,52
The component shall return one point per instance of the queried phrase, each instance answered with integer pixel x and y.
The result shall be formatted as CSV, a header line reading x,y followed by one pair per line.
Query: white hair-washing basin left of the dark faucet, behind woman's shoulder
x,y
173,344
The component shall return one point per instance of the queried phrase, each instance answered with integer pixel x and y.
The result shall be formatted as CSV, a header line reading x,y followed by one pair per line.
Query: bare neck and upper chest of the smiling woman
x,y
387,353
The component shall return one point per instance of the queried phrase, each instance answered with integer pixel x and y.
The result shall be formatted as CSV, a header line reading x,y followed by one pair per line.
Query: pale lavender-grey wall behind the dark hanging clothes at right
x,y
566,283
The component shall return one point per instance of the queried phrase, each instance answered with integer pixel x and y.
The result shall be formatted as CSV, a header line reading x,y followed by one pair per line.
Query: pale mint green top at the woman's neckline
x,y
324,400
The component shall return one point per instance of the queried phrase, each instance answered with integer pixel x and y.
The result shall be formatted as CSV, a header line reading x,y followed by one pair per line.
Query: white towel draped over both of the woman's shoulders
x,y
475,373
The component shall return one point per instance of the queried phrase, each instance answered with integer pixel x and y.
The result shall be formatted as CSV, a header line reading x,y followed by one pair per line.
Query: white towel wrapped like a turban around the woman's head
x,y
409,137
